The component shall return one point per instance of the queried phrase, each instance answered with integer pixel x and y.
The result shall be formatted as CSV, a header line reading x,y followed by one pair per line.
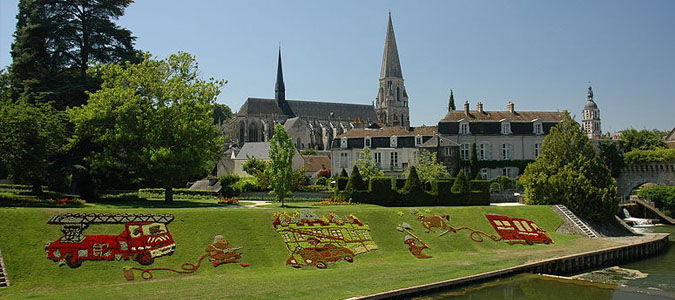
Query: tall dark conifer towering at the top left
x,y
56,41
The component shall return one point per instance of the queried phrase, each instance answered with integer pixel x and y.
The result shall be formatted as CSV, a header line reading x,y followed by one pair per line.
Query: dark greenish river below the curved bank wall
x,y
654,281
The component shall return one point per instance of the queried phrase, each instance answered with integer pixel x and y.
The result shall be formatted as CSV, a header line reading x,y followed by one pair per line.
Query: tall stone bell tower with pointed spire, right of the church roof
x,y
391,106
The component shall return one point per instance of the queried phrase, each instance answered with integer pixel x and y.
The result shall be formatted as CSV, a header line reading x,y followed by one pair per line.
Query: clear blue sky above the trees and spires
x,y
539,54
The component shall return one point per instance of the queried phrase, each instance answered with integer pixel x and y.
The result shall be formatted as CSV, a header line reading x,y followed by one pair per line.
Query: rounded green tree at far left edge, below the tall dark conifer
x,y
31,136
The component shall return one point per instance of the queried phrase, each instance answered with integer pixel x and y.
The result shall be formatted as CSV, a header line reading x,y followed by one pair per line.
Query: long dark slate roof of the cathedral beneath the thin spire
x,y
312,109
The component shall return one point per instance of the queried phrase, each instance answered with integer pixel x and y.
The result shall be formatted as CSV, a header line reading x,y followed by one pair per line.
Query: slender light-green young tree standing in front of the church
x,y
281,160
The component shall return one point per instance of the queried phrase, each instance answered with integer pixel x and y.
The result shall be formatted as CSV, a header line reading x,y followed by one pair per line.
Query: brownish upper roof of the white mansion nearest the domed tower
x,y
517,116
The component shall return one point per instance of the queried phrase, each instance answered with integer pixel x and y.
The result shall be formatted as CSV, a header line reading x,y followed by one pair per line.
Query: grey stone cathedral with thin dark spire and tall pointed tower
x,y
314,124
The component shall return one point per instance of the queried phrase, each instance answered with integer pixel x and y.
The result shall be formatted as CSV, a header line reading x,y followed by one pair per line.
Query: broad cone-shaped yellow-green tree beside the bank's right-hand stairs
x,y
569,172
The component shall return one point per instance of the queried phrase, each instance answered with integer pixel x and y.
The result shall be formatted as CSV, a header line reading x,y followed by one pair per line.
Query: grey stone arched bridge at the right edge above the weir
x,y
632,176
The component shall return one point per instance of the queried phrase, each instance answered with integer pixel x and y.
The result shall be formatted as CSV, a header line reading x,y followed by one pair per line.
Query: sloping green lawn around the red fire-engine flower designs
x,y
24,233
